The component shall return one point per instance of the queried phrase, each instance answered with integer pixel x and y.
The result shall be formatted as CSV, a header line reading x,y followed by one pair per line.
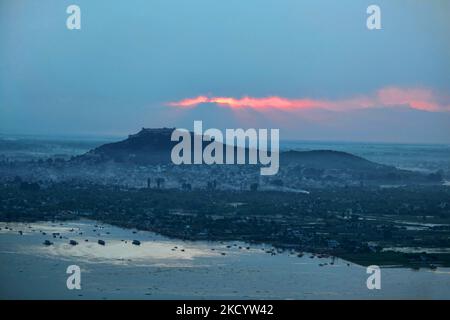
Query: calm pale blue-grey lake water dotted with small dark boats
x,y
163,268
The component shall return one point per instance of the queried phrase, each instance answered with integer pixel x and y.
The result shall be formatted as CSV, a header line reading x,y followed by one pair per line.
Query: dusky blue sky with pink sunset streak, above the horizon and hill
x,y
309,68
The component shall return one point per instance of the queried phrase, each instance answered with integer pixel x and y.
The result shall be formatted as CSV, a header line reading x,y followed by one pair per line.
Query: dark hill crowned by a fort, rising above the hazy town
x,y
153,147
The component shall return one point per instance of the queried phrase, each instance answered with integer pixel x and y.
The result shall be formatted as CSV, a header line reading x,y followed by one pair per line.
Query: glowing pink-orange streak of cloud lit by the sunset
x,y
416,98
